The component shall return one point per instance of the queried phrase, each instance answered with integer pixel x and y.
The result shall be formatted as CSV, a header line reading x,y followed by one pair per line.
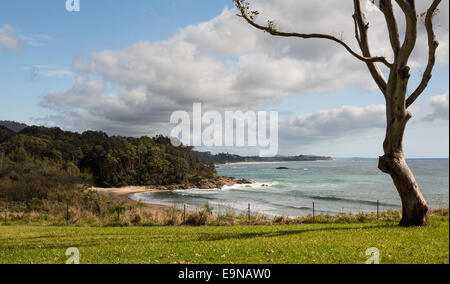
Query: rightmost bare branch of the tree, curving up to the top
x,y
432,47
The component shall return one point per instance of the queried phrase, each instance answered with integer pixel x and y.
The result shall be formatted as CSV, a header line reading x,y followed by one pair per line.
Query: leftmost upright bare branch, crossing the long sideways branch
x,y
361,33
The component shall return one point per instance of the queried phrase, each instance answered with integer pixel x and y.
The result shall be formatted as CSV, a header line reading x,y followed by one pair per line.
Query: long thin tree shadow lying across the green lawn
x,y
282,233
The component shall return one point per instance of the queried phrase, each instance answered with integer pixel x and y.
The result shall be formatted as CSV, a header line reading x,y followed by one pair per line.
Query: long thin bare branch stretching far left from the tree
x,y
244,9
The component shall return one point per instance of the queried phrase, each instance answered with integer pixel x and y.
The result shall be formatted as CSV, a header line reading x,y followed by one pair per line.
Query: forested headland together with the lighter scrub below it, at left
x,y
45,173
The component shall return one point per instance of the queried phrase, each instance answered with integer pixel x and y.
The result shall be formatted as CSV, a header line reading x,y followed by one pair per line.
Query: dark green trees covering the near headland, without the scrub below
x,y
112,161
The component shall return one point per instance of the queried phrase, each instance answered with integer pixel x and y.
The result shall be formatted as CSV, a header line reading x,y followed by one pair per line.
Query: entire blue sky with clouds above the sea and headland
x,y
125,66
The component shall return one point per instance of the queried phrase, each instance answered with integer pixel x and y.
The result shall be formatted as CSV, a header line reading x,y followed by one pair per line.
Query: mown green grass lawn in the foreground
x,y
306,243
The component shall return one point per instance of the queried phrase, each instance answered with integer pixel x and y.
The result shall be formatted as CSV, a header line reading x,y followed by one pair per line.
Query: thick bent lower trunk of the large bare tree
x,y
393,163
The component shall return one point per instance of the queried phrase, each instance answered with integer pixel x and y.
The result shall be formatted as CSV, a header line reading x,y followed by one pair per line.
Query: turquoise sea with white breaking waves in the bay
x,y
341,186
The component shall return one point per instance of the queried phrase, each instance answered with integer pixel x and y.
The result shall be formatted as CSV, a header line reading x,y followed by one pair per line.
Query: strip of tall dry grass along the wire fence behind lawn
x,y
139,214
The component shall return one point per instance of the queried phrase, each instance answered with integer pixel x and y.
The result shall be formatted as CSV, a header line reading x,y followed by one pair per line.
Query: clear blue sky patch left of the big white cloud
x,y
99,25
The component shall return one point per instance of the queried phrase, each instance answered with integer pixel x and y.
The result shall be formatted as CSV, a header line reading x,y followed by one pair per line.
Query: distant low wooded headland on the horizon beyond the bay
x,y
225,158
